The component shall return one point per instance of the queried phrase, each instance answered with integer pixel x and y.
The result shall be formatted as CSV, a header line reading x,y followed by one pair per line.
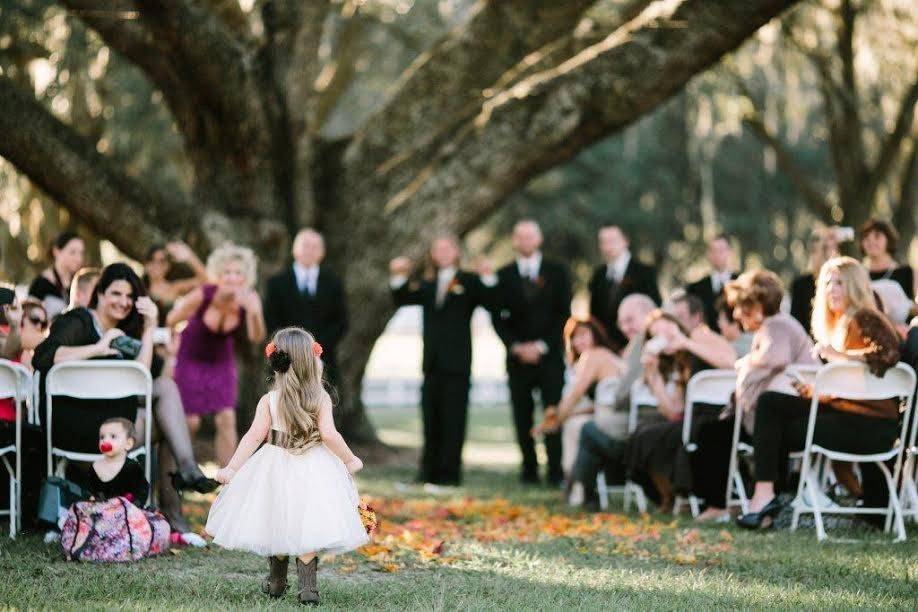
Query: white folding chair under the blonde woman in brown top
x,y
852,380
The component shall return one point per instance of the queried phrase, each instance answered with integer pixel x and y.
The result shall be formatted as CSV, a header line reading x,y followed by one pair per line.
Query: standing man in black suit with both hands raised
x,y
448,298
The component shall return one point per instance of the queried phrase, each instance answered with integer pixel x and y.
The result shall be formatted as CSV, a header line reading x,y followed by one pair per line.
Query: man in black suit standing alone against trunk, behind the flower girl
x,y
310,295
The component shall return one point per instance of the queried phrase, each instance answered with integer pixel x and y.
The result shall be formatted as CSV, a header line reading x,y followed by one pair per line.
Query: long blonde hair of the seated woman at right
x,y
857,287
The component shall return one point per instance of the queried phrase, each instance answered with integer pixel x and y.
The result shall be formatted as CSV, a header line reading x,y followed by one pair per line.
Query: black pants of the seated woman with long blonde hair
x,y
780,429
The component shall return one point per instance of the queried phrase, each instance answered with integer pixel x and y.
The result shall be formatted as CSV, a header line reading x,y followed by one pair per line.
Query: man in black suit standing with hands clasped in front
x,y
535,303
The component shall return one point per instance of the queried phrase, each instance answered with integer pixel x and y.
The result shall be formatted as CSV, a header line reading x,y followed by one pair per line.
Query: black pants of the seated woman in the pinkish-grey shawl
x,y
711,461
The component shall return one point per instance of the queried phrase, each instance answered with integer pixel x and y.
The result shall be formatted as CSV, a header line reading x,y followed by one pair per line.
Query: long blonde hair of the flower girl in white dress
x,y
299,386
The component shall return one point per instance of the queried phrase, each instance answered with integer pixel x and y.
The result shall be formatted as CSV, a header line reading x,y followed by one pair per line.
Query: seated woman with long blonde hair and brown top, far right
x,y
847,326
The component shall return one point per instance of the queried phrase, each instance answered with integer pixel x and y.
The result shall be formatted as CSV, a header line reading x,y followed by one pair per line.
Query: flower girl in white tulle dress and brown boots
x,y
295,496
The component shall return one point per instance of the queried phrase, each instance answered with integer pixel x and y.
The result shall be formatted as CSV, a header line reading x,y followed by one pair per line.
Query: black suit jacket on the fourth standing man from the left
x,y
606,298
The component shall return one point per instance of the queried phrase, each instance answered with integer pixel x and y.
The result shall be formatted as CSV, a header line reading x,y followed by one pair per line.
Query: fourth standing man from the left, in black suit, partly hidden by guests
x,y
620,276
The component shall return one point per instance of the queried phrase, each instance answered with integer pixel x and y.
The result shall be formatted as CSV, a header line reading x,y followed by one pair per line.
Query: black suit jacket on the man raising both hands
x,y
447,328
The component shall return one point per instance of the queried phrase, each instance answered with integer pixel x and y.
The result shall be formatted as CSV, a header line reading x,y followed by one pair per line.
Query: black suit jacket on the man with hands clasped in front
x,y
533,311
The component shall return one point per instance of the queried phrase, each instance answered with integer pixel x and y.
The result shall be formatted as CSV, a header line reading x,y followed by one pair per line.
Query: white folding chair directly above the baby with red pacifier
x,y
99,380
